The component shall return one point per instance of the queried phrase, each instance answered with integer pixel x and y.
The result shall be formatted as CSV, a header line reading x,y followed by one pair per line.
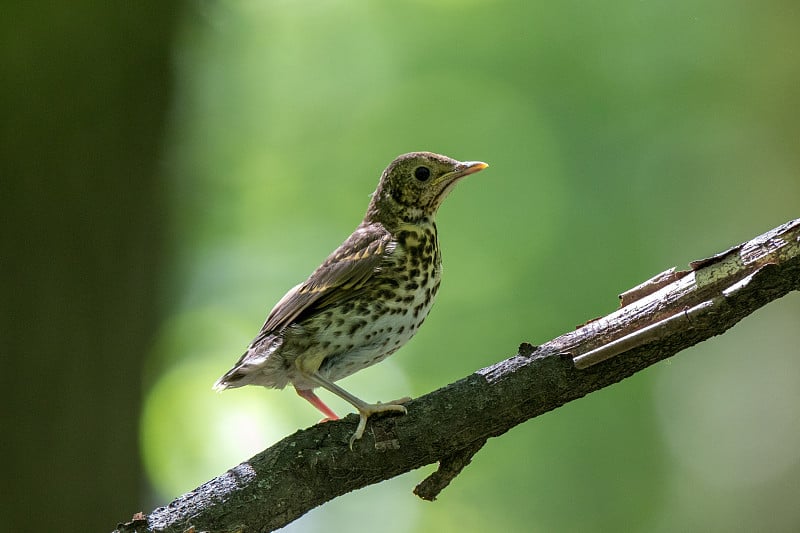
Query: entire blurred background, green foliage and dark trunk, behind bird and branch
x,y
170,170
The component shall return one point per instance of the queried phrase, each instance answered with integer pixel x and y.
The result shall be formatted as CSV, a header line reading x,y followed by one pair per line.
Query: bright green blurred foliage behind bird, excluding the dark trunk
x,y
623,138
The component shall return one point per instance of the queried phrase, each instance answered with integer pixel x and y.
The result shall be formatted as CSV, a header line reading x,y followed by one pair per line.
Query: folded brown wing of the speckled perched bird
x,y
339,278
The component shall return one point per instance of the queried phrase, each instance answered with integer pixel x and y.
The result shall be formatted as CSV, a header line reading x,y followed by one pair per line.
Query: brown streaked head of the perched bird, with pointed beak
x,y
414,185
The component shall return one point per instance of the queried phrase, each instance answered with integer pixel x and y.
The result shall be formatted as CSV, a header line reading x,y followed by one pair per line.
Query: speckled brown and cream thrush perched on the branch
x,y
366,300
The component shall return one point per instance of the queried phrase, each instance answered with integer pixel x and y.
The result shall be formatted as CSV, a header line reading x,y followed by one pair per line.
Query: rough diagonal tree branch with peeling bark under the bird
x,y
659,318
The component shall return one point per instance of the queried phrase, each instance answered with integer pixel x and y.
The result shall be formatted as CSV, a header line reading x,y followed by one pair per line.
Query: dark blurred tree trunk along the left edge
x,y
85,88
